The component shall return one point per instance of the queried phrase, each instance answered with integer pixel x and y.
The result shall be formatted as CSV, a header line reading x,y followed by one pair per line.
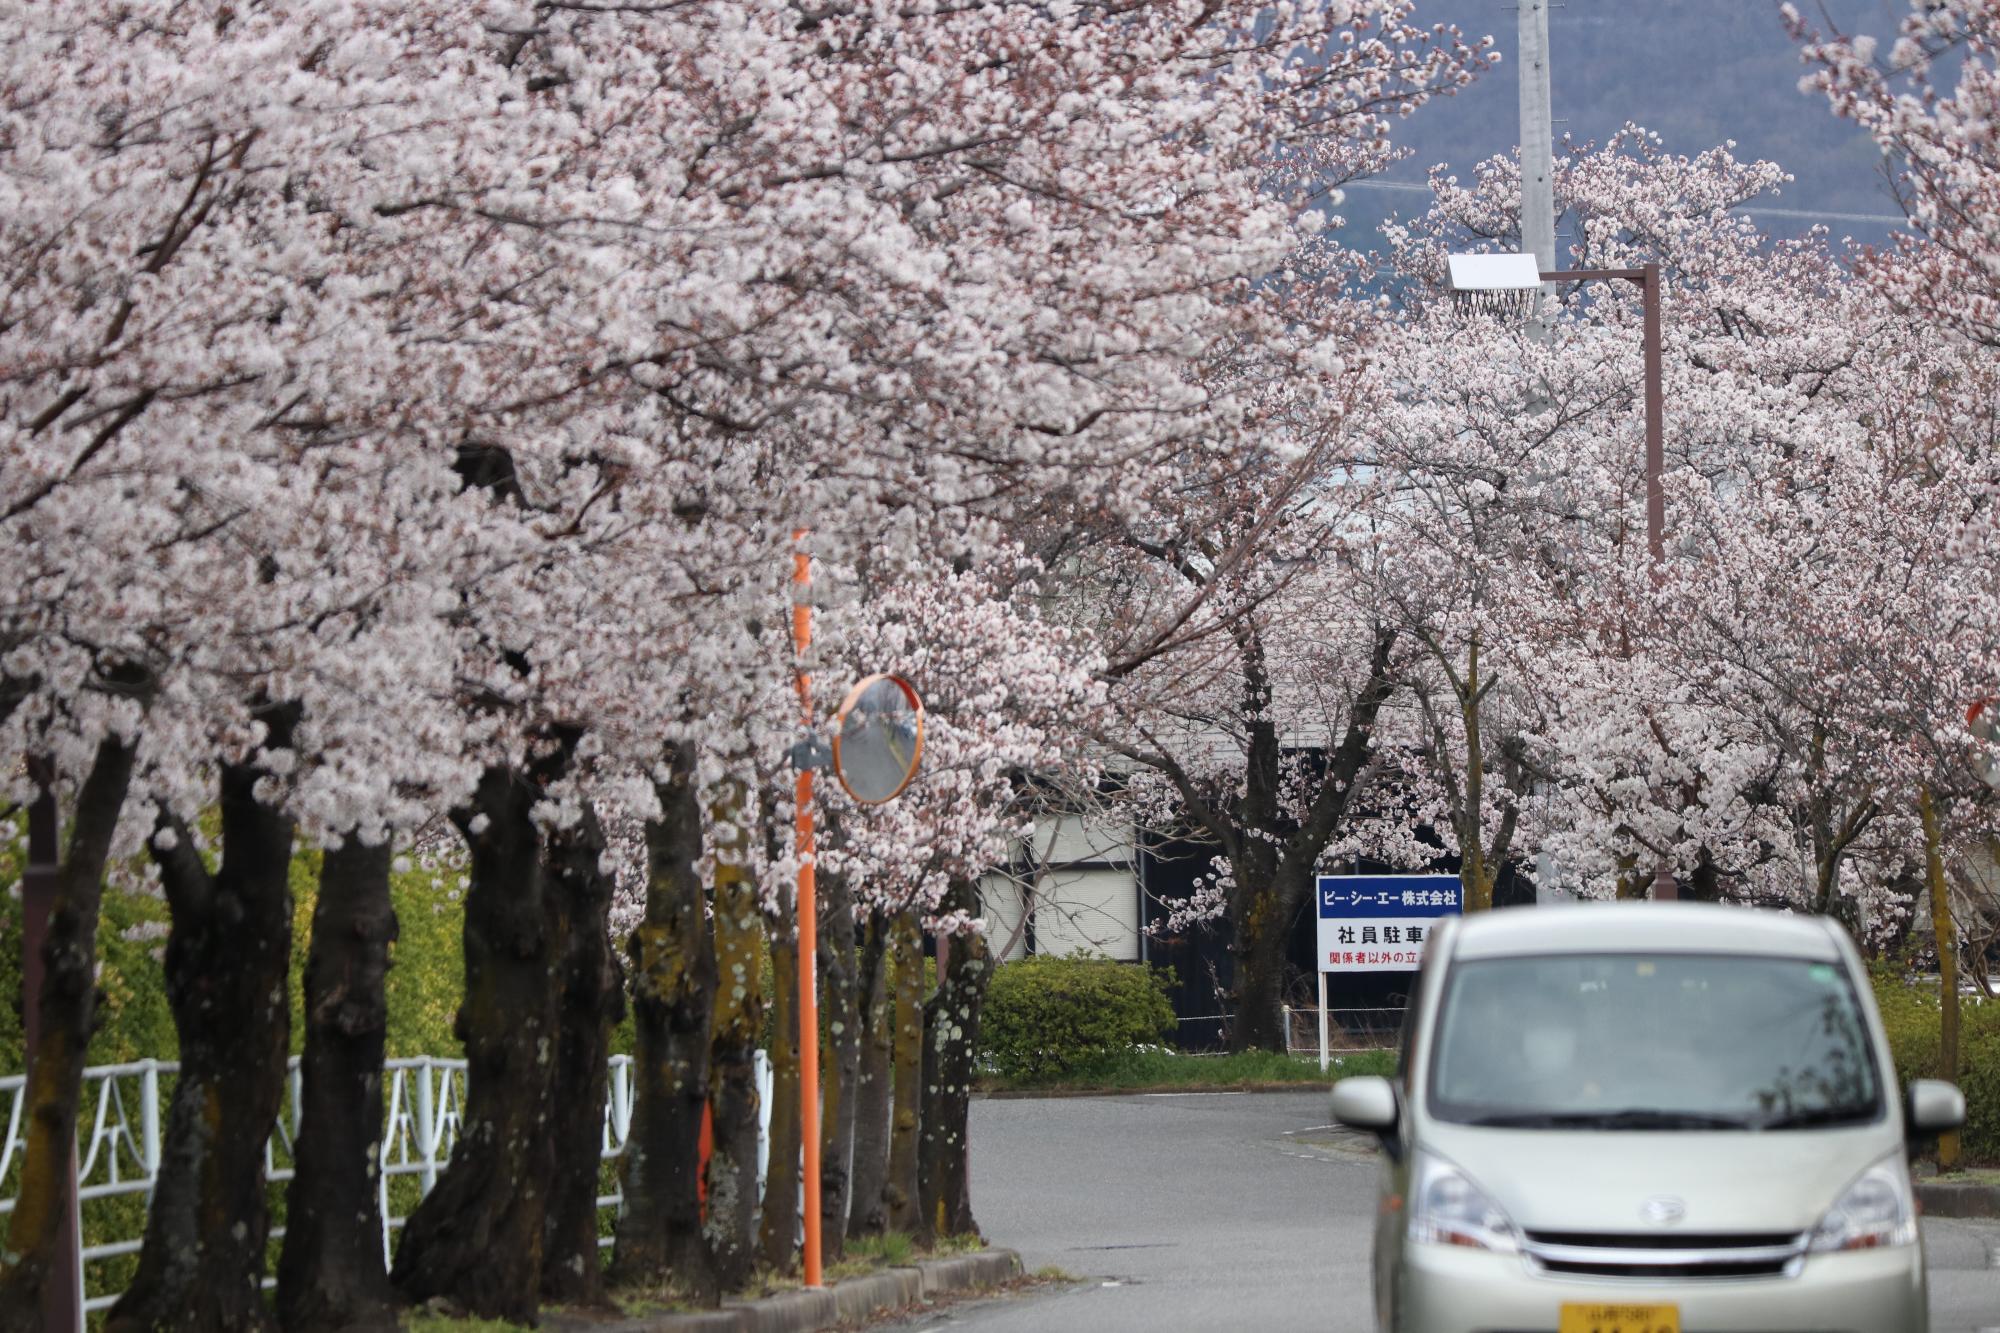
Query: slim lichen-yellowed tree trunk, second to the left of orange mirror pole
x,y
739,1026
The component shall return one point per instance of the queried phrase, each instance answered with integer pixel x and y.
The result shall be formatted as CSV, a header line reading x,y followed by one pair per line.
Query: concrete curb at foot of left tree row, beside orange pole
x,y
853,1300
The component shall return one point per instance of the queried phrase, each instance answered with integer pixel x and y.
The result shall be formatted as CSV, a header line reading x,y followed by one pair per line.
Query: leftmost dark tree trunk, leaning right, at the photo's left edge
x,y
57,1072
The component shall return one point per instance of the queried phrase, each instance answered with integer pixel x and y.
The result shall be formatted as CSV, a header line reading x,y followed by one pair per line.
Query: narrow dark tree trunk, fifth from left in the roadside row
x,y
591,1008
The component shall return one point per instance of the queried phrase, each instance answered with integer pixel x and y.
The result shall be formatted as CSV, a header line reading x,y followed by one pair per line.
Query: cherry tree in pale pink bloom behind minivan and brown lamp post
x,y
1721,722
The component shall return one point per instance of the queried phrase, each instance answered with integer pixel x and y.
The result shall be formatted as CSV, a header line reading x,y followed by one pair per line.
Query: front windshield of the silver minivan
x,y
1653,1042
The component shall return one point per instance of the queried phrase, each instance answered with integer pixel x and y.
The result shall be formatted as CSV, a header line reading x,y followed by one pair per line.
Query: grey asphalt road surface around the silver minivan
x,y
1237,1212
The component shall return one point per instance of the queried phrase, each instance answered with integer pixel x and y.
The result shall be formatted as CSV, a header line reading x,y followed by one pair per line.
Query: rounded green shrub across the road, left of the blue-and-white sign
x,y
1049,1016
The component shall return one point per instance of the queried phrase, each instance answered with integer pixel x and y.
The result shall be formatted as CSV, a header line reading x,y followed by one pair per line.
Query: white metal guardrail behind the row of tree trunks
x,y
119,1138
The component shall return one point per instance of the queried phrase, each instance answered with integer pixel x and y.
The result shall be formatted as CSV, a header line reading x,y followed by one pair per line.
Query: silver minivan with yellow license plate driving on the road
x,y
1635,1118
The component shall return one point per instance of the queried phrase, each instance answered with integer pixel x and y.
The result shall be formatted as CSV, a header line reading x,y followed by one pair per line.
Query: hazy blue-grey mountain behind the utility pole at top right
x,y
1697,73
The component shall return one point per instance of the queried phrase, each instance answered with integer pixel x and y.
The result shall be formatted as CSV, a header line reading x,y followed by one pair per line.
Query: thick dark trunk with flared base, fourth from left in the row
x,y
477,1238
